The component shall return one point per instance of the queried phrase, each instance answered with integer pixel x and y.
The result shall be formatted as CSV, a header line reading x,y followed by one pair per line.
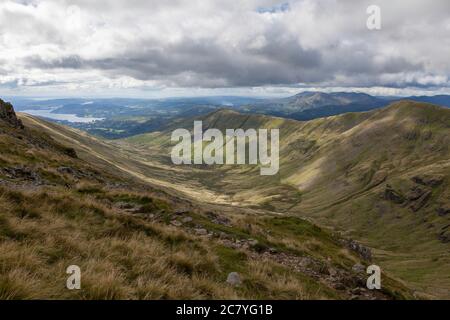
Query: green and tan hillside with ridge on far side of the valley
x,y
336,171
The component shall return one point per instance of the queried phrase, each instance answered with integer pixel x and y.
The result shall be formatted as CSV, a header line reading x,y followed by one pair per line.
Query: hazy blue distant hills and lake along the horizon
x,y
120,118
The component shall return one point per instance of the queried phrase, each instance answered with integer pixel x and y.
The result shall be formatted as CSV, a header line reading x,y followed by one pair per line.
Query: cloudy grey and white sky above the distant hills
x,y
147,48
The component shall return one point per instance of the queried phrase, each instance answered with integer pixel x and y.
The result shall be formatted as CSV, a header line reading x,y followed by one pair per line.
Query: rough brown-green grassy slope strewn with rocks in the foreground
x,y
120,232
